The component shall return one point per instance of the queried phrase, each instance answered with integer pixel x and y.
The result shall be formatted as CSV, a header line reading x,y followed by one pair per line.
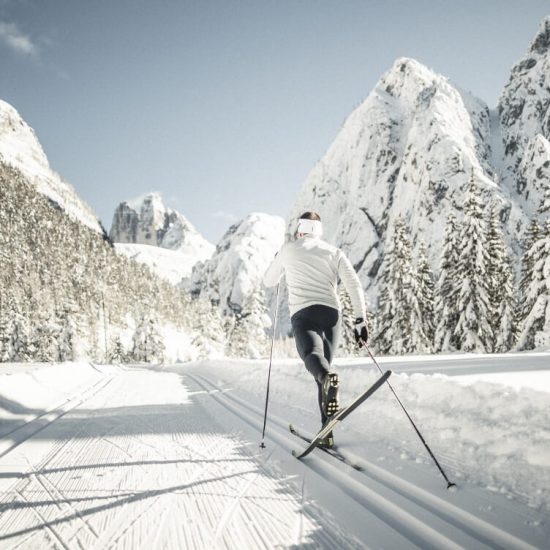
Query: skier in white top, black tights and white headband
x,y
312,268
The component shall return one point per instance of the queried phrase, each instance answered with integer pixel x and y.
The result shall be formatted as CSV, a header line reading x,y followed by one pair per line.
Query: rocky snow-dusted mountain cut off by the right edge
x,y
524,110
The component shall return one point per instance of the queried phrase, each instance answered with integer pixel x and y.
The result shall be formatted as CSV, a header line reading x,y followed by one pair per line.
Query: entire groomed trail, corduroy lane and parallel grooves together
x,y
167,457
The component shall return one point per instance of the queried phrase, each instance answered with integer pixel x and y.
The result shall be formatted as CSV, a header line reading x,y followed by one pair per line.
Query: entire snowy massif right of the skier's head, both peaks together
x,y
410,149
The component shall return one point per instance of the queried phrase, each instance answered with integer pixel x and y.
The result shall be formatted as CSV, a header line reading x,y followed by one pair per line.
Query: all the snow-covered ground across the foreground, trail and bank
x,y
168,456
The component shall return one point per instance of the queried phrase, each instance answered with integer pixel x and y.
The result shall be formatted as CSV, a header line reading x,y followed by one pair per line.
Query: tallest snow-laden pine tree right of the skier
x,y
473,329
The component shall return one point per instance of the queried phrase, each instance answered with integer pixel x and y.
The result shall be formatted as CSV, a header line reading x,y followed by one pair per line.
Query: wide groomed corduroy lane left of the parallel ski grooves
x,y
81,494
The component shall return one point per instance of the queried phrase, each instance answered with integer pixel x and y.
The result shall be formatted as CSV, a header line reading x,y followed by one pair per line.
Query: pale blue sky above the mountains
x,y
224,106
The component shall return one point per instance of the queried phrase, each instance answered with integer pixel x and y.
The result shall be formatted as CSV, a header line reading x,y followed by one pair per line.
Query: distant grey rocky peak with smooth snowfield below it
x,y
174,245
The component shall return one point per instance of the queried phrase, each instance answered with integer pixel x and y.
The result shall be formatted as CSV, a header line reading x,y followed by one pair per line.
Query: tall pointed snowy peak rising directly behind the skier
x,y
408,150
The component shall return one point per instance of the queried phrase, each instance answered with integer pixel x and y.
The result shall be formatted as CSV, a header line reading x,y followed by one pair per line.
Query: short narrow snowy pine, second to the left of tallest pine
x,y
423,320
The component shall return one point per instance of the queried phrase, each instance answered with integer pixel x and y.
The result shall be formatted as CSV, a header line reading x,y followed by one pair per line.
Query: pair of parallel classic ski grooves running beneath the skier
x,y
419,516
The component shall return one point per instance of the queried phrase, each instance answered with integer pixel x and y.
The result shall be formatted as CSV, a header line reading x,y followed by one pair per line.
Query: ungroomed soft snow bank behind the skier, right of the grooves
x,y
485,433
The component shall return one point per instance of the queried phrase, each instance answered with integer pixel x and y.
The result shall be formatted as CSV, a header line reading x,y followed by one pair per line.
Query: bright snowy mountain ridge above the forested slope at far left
x,y
20,148
